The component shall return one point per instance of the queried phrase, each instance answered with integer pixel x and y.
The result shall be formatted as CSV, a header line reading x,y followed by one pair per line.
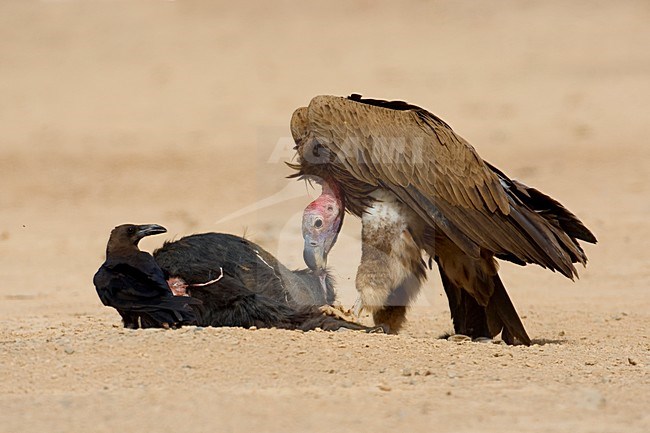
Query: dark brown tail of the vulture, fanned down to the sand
x,y
479,303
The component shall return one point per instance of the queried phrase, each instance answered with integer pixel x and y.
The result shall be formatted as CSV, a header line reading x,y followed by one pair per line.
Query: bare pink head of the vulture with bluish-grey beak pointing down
x,y
321,223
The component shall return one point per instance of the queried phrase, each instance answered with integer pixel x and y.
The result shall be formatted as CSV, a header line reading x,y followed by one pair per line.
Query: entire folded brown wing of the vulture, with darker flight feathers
x,y
437,173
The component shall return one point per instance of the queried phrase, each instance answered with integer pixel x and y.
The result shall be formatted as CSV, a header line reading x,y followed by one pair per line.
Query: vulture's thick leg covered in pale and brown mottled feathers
x,y
391,270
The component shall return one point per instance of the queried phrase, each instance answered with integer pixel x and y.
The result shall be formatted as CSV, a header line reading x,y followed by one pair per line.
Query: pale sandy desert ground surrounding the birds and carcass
x,y
177,113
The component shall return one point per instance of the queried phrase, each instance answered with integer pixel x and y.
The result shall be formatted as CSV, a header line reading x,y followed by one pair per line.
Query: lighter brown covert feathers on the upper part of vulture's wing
x,y
379,143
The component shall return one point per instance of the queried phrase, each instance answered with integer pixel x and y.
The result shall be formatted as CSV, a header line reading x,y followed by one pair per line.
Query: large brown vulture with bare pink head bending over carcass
x,y
418,186
